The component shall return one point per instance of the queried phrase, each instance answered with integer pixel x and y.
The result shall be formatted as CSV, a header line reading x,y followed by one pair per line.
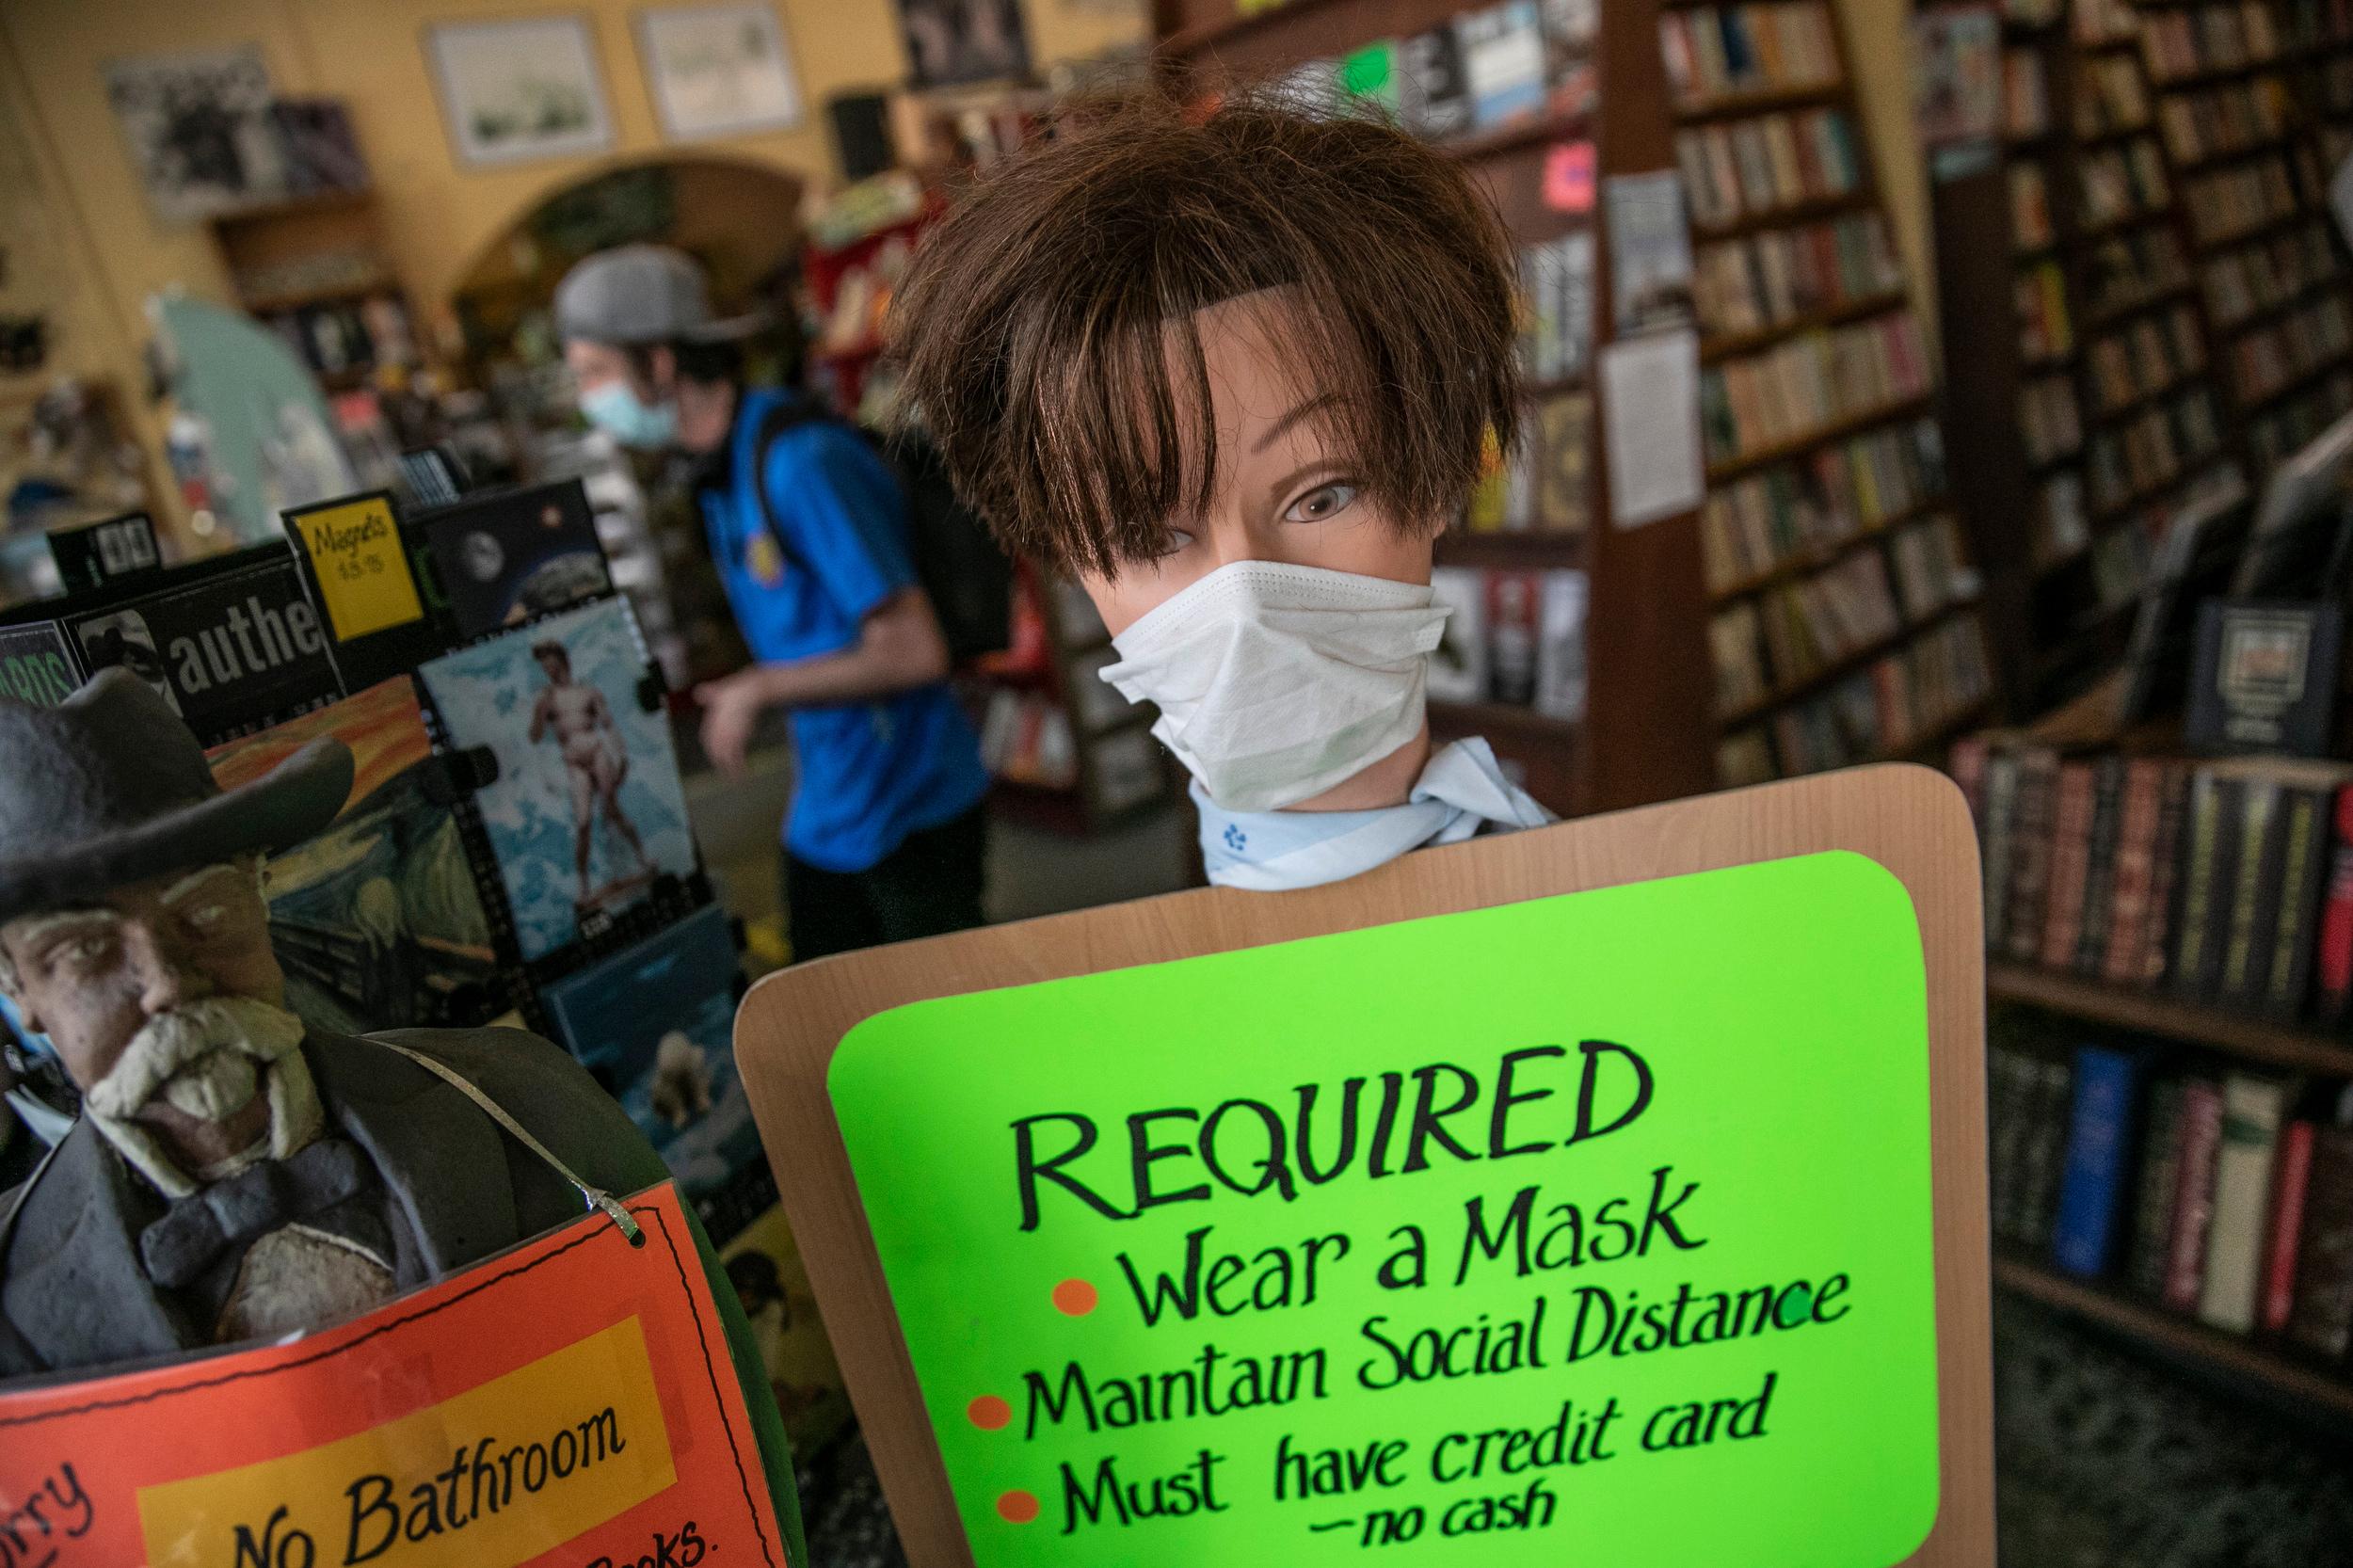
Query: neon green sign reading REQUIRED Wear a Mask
x,y
1580,1230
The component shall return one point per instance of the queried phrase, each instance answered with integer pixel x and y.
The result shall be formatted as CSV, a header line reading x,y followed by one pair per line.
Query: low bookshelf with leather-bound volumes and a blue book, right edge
x,y
2121,896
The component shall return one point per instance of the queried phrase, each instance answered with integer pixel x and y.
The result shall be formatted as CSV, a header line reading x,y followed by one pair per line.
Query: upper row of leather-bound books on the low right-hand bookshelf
x,y
2227,882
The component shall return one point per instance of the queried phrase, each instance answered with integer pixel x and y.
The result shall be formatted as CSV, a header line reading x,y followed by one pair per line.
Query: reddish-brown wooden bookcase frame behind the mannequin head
x,y
1644,733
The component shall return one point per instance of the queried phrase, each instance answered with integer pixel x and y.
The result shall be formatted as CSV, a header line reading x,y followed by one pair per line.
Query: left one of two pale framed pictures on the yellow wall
x,y
516,91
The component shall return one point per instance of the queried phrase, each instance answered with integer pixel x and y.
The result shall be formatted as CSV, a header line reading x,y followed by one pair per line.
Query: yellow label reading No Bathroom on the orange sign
x,y
498,1475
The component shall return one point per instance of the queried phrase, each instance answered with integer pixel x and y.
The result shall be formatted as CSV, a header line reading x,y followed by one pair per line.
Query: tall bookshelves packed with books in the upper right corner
x,y
2161,218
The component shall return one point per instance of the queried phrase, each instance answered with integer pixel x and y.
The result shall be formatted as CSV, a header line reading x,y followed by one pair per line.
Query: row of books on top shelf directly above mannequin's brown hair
x,y
1486,69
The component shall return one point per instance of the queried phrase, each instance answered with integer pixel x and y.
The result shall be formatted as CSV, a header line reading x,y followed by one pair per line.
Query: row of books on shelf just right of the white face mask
x,y
1514,637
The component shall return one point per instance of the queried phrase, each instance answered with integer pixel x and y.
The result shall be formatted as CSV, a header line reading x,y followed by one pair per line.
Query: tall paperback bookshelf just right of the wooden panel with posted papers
x,y
1844,613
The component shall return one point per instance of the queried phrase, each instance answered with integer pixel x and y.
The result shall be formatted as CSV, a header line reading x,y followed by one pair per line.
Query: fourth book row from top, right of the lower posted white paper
x,y
1811,383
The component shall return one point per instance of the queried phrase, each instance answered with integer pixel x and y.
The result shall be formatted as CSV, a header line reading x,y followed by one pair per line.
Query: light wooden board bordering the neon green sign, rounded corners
x,y
1905,818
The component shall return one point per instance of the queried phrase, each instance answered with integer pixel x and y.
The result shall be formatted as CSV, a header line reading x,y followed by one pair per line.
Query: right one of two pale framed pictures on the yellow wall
x,y
719,69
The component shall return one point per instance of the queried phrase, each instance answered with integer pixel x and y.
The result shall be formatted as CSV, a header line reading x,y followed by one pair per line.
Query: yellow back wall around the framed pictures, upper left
x,y
371,53
